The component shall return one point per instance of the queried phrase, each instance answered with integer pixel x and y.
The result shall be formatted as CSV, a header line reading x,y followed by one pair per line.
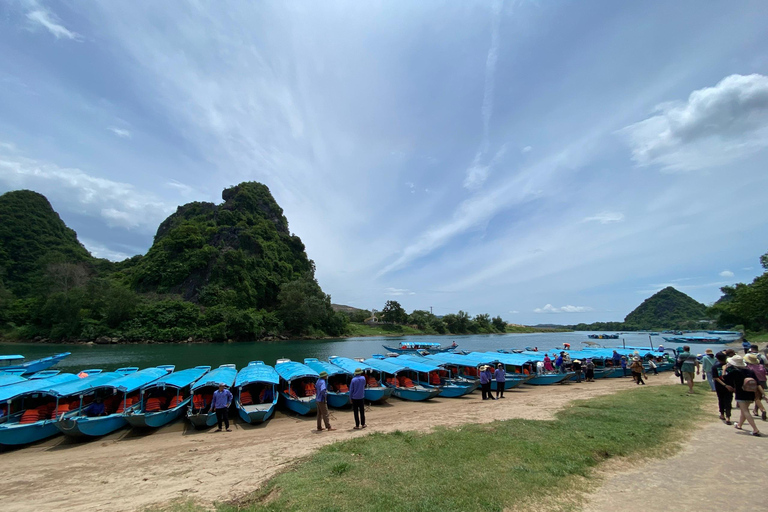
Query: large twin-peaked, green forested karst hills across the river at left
x,y
214,272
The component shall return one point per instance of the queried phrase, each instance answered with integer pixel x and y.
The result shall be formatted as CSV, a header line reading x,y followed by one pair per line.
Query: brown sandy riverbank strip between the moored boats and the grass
x,y
129,470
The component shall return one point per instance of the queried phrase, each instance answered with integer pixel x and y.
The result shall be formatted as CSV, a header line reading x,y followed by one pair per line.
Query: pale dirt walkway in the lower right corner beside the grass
x,y
718,468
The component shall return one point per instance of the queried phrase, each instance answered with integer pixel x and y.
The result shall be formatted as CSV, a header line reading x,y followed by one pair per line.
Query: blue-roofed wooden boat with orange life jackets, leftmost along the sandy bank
x,y
52,401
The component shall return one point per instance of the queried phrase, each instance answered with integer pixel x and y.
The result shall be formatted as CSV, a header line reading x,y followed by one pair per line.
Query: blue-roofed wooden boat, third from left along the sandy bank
x,y
165,399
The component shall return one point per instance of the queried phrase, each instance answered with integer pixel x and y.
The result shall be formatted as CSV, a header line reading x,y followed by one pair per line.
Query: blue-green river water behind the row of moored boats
x,y
110,357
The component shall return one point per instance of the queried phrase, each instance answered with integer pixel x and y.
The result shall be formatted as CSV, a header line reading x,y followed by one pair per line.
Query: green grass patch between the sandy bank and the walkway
x,y
504,465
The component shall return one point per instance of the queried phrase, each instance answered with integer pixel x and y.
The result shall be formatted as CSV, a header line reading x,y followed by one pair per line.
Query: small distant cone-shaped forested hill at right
x,y
667,308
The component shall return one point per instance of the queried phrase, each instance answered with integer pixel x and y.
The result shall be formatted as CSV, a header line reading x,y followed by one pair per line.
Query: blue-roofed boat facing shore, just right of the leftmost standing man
x,y
255,392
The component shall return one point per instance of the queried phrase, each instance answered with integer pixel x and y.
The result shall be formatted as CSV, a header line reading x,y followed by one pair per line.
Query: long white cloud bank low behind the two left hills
x,y
120,204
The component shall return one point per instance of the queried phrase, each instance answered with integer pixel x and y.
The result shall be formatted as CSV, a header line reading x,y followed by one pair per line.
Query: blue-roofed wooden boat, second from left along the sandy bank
x,y
120,396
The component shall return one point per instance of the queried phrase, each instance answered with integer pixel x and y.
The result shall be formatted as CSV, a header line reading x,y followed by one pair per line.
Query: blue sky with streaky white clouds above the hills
x,y
548,162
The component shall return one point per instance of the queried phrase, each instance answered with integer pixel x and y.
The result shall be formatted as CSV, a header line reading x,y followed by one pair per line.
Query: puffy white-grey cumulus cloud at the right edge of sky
x,y
715,126
